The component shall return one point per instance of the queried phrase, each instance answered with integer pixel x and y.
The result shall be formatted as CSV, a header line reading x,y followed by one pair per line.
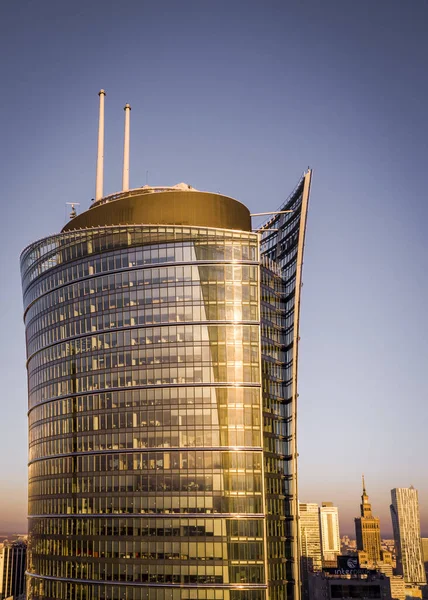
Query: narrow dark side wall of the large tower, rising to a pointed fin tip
x,y
282,245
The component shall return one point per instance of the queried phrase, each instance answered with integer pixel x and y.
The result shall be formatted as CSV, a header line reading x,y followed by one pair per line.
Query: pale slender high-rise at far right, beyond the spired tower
x,y
407,534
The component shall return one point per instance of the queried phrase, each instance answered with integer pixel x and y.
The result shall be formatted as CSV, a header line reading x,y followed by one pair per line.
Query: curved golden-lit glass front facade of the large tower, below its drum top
x,y
146,466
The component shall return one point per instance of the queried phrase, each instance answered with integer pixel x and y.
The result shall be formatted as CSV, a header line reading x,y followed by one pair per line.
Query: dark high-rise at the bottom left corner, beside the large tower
x,y
12,568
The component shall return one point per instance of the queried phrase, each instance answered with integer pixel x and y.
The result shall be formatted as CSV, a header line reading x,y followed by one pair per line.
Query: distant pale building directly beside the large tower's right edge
x,y
310,542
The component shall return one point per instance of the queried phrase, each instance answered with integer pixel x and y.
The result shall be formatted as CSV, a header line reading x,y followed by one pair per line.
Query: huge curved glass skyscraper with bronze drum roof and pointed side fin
x,y
162,338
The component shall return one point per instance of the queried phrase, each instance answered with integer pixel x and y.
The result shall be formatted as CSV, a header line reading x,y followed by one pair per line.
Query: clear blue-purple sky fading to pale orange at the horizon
x,y
240,97
